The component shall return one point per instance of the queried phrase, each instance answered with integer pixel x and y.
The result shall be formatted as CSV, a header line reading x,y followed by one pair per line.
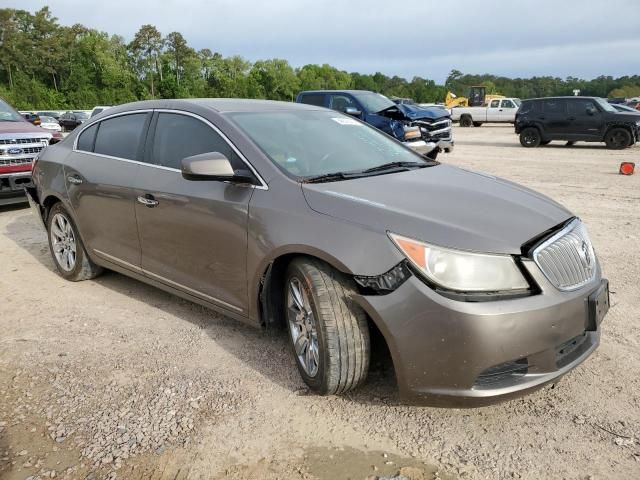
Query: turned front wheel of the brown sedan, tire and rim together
x,y
342,344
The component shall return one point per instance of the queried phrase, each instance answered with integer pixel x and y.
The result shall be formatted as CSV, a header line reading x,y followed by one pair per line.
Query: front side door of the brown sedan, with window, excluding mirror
x,y
193,234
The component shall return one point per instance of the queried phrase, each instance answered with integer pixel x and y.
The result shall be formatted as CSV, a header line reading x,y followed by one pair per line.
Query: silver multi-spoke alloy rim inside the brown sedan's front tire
x,y
302,325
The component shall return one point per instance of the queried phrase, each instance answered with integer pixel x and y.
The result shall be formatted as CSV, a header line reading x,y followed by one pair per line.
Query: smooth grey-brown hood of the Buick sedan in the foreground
x,y
443,205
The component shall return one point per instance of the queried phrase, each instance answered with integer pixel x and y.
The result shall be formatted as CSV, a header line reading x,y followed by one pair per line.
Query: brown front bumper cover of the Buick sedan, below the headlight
x,y
448,352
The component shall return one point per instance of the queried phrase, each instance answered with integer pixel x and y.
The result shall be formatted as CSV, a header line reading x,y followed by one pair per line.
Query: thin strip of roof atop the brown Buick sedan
x,y
220,105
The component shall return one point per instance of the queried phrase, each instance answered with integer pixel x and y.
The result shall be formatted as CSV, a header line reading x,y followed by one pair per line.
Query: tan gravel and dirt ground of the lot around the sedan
x,y
114,379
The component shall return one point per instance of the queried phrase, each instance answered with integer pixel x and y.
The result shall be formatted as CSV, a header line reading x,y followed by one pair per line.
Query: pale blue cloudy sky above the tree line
x,y
423,38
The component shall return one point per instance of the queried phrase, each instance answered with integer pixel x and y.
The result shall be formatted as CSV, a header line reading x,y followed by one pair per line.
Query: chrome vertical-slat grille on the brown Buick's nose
x,y
567,258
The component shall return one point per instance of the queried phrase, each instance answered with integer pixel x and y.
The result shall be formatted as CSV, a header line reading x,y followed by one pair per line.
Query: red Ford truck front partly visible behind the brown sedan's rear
x,y
20,142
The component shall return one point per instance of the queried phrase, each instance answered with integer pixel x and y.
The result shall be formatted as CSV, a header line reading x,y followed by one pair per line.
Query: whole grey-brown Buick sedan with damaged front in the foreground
x,y
282,213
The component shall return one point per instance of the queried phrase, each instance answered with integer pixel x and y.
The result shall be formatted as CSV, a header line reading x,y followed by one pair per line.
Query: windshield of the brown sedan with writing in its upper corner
x,y
311,143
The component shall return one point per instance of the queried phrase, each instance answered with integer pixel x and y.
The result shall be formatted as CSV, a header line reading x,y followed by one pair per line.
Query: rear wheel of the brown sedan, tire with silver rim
x,y
72,262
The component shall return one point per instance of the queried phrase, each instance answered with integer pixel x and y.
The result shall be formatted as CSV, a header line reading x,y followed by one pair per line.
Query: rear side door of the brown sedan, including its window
x,y
99,175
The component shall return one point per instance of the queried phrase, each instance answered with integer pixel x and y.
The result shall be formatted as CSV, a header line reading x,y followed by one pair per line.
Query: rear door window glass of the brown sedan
x,y
121,136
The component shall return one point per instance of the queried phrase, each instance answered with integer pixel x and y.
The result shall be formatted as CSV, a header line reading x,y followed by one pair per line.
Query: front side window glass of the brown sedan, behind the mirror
x,y
180,136
